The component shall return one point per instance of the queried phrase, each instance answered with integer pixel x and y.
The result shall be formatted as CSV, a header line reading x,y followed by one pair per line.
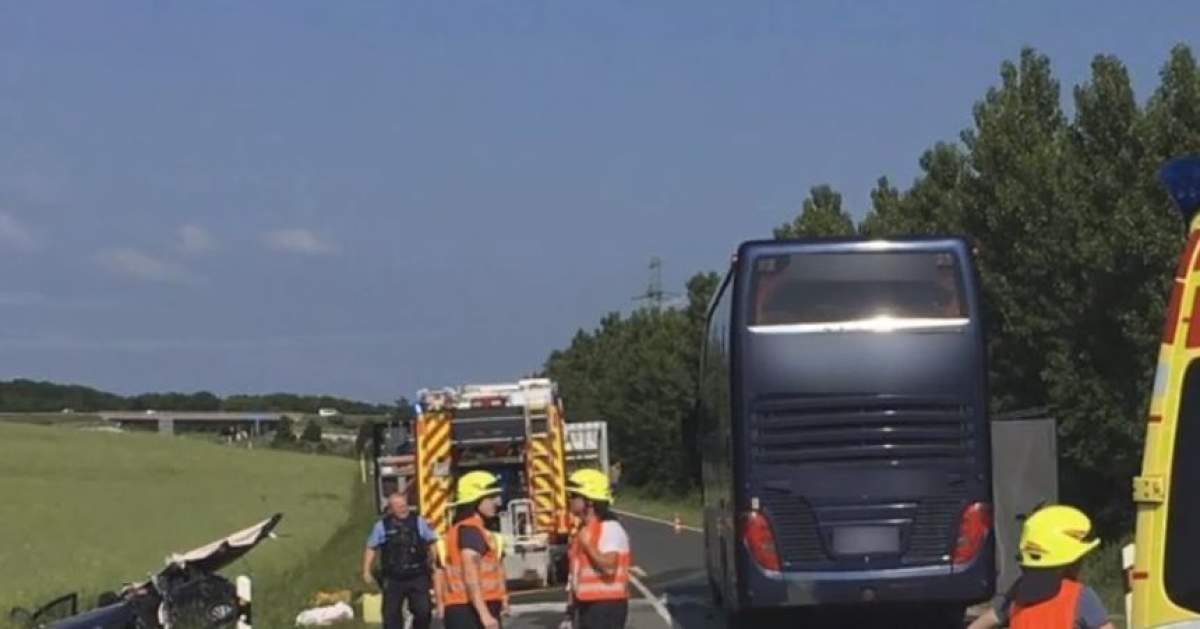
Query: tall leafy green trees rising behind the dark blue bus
x,y
1075,241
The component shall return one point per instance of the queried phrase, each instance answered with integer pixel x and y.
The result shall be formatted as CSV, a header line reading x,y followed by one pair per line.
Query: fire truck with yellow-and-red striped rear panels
x,y
513,430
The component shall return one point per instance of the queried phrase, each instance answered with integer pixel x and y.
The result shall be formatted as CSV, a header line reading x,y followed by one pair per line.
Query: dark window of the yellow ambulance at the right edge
x,y
1181,570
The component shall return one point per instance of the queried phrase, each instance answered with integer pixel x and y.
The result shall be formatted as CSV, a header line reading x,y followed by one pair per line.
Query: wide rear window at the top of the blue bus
x,y
803,289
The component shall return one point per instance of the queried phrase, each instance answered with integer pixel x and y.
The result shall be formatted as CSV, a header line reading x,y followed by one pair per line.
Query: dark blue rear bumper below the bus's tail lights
x,y
935,584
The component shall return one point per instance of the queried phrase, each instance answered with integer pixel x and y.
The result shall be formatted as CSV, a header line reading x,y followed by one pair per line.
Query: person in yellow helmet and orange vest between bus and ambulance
x,y
1048,595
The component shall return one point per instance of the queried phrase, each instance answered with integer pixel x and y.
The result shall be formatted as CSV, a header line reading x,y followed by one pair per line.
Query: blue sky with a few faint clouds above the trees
x,y
364,199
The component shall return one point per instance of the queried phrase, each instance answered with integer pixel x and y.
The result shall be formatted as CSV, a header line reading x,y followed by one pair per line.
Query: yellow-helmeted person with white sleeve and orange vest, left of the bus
x,y
599,556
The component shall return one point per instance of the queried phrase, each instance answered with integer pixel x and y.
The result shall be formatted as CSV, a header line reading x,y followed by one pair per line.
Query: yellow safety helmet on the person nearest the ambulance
x,y
1057,536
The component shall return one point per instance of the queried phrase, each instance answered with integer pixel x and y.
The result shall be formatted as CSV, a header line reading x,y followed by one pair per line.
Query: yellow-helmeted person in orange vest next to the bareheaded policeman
x,y
473,578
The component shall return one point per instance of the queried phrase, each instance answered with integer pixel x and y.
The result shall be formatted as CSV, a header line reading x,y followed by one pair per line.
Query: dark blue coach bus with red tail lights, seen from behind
x,y
843,428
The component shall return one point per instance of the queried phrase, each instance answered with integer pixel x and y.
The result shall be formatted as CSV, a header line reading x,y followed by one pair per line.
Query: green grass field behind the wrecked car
x,y
88,512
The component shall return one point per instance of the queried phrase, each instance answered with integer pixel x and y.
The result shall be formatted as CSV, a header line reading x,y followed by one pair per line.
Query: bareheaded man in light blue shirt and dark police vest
x,y
404,543
